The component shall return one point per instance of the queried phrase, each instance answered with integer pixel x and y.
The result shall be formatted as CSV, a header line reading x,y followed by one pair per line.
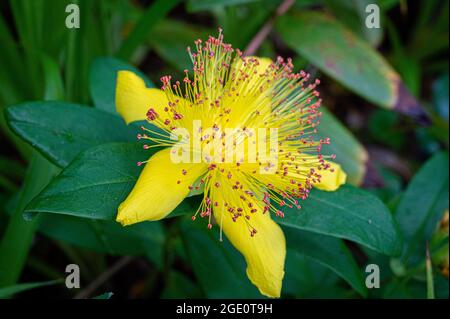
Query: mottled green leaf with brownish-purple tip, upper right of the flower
x,y
343,56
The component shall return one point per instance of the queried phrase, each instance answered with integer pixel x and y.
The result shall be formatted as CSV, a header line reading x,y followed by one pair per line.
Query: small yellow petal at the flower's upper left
x,y
134,99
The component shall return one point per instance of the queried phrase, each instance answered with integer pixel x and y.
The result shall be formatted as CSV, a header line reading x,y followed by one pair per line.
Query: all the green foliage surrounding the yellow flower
x,y
68,159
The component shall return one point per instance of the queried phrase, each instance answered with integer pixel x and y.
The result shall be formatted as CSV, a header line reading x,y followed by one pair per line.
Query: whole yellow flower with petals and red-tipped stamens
x,y
247,95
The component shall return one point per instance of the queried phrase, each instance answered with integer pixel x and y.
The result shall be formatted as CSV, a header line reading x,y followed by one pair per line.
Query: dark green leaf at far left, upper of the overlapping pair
x,y
60,130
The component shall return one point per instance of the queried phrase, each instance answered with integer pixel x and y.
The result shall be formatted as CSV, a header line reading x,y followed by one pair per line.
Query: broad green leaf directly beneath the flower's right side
x,y
348,213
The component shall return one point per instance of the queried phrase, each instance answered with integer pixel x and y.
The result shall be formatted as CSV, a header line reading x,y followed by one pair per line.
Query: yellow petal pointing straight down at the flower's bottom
x,y
264,253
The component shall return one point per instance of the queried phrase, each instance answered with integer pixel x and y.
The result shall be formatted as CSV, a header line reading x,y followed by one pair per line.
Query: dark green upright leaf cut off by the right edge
x,y
422,206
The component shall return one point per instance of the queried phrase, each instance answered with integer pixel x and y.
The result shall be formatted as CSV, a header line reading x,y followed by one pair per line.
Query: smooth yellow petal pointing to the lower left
x,y
161,186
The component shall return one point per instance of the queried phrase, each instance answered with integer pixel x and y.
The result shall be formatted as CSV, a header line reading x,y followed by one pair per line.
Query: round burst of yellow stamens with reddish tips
x,y
230,90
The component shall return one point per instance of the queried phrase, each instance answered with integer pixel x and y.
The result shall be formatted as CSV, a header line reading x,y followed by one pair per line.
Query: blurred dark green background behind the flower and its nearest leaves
x,y
385,94
